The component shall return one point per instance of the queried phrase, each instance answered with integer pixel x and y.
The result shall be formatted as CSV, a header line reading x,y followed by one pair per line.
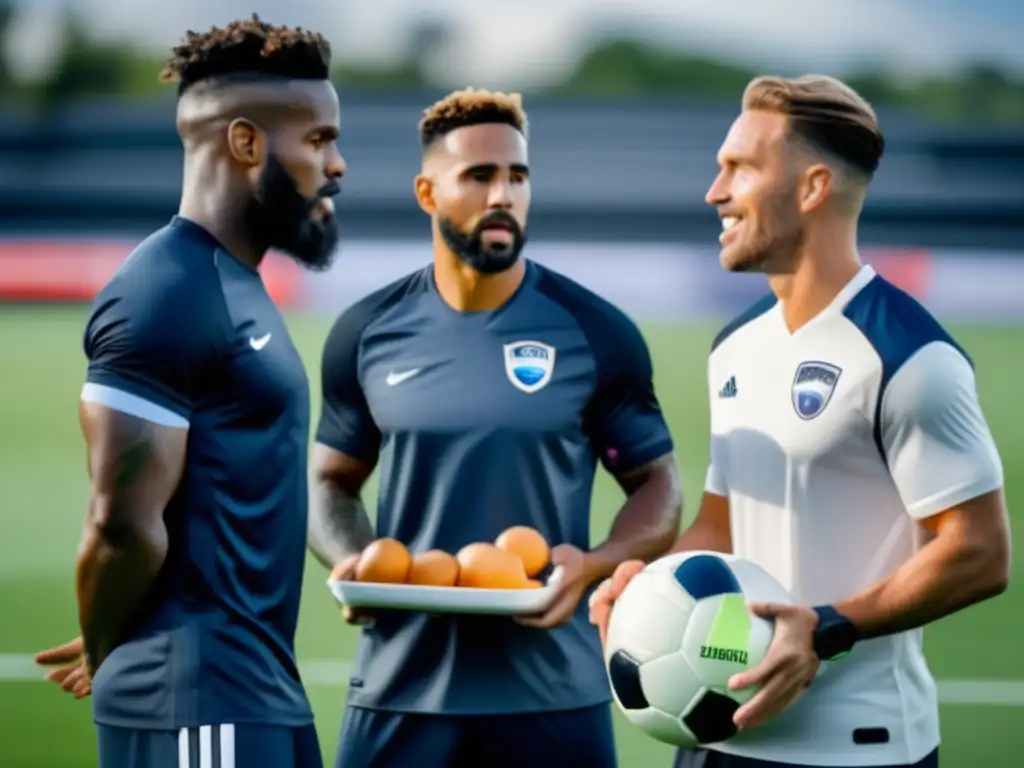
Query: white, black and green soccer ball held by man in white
x,y
677,634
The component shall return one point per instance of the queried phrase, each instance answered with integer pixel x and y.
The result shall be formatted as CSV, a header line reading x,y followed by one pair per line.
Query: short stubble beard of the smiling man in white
x,y
771,240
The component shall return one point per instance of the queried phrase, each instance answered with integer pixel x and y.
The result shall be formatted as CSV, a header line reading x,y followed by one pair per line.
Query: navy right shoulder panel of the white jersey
x,y
899,328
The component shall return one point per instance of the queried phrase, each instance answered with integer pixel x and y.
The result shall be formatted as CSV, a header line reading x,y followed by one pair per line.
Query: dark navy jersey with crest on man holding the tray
x,y
482,421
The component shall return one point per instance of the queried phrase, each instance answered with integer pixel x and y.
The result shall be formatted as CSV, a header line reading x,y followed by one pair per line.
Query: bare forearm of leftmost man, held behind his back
x,y
116,570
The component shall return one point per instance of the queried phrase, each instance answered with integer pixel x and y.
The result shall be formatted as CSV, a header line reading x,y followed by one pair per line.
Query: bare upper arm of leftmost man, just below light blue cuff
x,y
135,464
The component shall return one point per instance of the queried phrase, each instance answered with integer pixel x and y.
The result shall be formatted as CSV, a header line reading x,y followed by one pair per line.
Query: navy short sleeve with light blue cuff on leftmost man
x,y
145,353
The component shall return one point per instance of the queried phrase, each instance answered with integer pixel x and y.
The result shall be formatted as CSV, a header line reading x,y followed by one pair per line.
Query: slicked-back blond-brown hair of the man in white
x,y
825,114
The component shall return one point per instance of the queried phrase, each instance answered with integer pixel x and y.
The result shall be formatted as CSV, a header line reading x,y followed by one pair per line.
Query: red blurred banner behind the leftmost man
x,y
76,271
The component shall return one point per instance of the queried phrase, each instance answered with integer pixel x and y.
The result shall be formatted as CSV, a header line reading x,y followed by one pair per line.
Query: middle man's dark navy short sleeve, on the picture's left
x,y
346,423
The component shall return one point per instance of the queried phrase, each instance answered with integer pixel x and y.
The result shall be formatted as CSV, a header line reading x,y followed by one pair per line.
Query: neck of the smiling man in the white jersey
x,y
824,266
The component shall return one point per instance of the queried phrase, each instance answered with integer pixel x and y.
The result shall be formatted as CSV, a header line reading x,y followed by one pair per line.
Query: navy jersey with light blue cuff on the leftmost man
x,y
185,331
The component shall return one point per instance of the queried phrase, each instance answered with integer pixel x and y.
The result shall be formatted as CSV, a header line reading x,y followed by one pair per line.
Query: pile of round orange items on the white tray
x,y
511,563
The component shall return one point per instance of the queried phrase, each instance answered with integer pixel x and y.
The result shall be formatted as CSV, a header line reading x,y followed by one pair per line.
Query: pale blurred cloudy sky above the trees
x,y
532,42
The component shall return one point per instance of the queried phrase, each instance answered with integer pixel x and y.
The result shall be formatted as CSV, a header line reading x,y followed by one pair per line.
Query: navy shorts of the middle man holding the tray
x,y
371,739
